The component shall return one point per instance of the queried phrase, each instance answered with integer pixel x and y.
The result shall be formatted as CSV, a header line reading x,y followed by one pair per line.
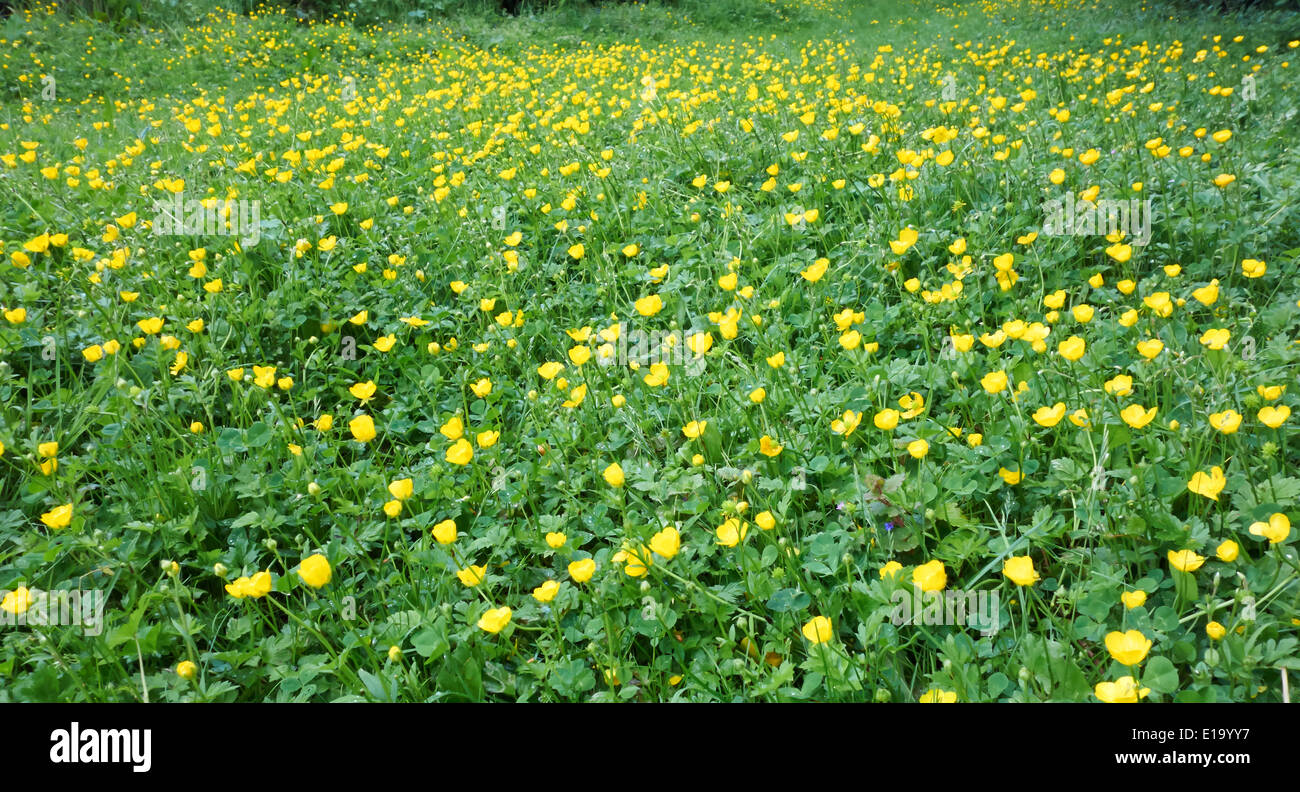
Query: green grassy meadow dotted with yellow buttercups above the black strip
x,y
798,350
